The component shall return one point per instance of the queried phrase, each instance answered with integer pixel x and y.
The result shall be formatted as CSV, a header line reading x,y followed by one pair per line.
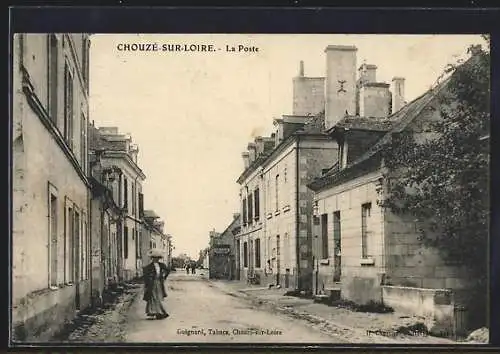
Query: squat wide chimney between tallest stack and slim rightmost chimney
x,y
374,100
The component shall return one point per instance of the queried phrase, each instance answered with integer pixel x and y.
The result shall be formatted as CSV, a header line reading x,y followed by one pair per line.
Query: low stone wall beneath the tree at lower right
x,y
435,306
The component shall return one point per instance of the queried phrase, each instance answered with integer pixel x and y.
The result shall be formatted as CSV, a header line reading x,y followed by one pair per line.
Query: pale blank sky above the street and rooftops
x,y
193,113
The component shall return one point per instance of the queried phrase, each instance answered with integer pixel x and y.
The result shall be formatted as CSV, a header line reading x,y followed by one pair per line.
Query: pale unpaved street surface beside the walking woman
x,y
201,313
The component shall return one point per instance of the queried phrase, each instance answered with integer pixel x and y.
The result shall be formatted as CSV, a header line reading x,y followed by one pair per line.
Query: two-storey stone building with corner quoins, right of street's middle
x,y
275,238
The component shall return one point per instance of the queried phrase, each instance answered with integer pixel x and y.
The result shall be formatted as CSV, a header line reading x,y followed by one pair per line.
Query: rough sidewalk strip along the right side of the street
x,y
358,327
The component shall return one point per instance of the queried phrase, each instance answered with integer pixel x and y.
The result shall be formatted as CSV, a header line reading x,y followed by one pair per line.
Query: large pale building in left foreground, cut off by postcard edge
x,y
50,211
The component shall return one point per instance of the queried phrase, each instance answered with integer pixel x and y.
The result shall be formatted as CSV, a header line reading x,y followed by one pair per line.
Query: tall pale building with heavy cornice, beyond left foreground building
x,y
121,155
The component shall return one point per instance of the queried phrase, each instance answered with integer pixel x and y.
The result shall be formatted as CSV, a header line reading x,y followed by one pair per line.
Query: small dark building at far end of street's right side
x,y
221,254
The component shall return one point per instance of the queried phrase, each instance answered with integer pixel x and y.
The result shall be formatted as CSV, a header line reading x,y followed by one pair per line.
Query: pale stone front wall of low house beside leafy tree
x,y
360,277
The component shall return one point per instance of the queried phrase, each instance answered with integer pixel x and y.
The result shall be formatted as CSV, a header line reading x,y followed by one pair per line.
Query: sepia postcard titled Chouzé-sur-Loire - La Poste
x,y
250,188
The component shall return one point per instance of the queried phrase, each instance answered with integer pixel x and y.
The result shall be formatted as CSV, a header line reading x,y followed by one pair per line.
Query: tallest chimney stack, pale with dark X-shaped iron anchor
x,y
340,83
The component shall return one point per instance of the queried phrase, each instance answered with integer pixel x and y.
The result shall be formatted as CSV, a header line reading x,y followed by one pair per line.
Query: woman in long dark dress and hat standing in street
x,y
155,274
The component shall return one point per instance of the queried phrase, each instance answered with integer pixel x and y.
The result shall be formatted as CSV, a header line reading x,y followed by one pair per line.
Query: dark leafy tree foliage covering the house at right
x,y
443,181
